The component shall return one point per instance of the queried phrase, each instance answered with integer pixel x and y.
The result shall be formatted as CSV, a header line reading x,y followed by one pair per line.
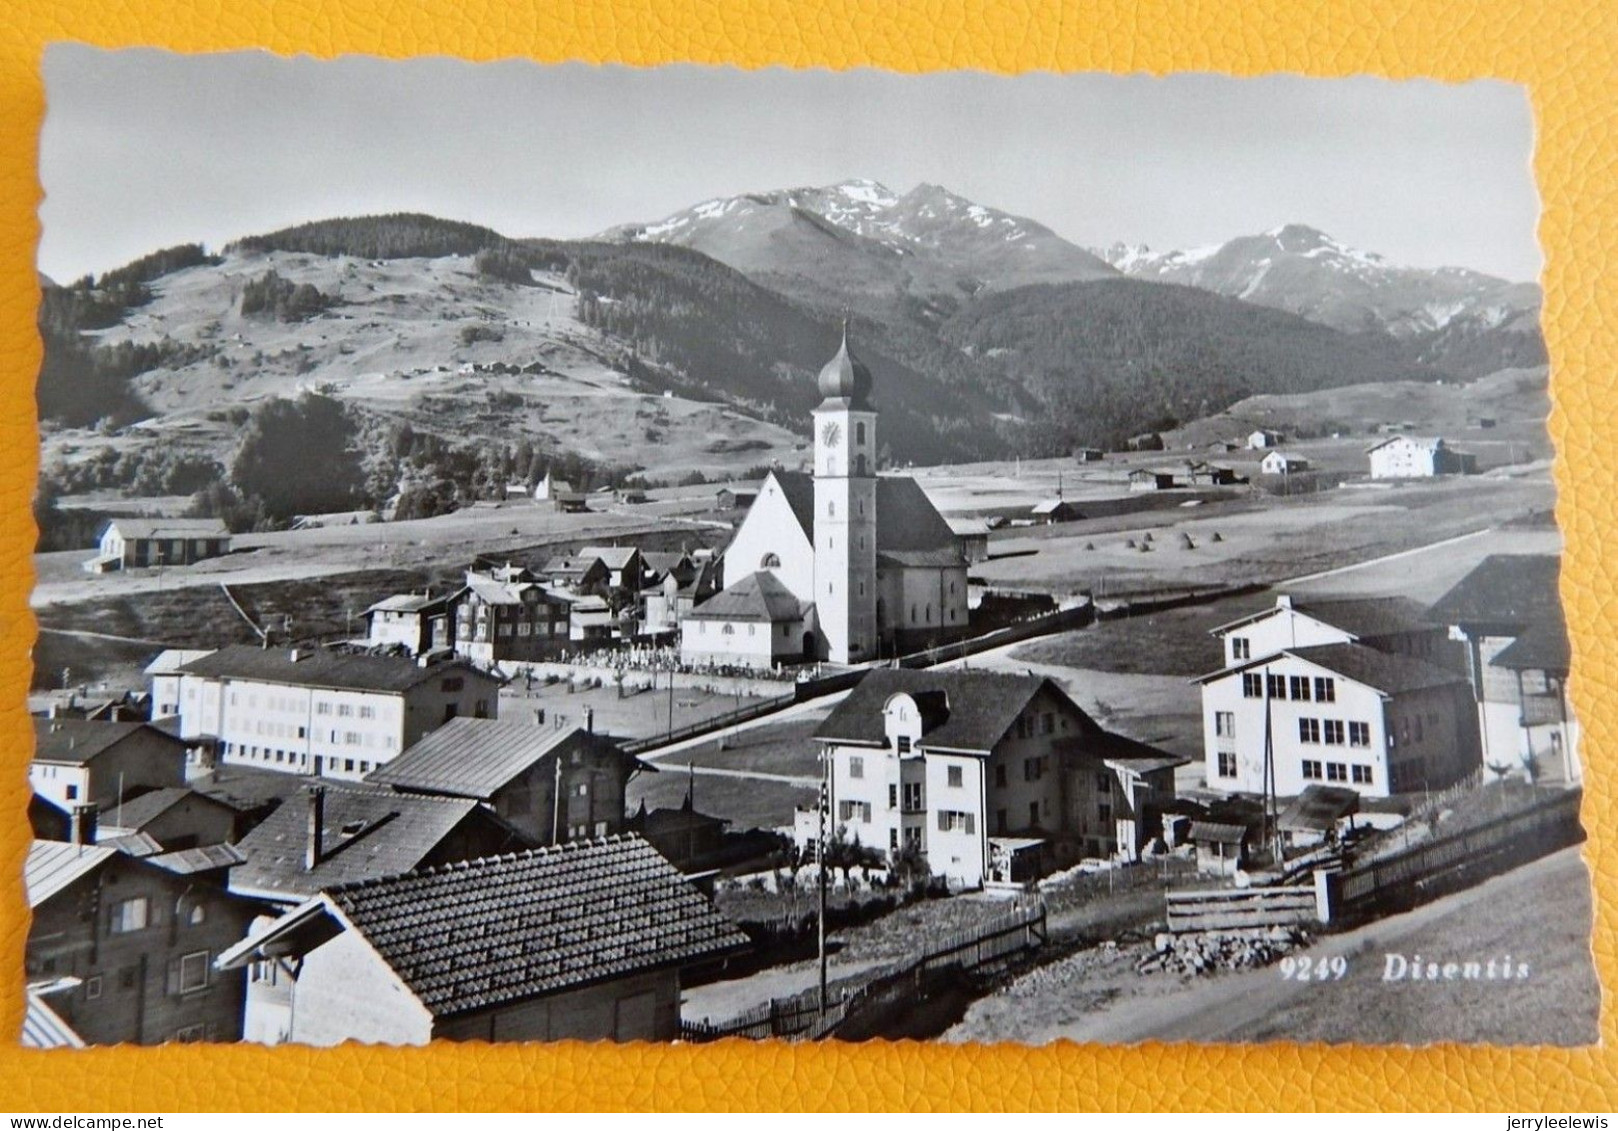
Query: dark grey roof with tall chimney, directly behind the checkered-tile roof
x,y
368,832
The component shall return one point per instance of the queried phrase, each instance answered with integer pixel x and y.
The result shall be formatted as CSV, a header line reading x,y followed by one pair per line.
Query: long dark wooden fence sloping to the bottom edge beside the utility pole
x,y
871,998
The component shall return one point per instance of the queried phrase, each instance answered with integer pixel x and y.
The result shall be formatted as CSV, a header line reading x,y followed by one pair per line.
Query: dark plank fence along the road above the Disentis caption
x,y
1459,860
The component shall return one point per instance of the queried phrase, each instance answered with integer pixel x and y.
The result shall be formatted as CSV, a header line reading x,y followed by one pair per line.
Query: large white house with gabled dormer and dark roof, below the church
x,y
946,763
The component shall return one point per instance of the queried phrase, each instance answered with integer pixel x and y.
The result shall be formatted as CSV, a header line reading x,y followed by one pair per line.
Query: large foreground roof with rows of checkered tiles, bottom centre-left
x,y
489,933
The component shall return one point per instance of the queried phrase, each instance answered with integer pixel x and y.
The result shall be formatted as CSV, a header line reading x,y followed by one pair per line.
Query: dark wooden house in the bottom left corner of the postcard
x,y
130,944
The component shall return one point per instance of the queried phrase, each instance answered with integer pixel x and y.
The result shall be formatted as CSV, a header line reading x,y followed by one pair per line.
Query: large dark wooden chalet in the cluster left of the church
x,y
507,617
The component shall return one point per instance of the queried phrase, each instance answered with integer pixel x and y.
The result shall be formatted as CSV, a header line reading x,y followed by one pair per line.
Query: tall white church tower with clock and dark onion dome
x,y
845,510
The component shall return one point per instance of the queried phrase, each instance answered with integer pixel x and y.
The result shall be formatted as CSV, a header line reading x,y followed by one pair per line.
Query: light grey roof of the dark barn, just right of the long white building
x,y
477,758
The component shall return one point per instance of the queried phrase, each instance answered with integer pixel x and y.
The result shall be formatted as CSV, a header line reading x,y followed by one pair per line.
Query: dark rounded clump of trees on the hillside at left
x,y
300,457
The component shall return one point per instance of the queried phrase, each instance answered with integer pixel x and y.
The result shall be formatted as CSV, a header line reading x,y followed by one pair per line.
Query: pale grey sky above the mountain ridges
x,y
145,150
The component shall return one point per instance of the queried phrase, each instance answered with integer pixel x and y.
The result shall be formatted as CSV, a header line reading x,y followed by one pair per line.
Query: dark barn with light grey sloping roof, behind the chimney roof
x,y
549,784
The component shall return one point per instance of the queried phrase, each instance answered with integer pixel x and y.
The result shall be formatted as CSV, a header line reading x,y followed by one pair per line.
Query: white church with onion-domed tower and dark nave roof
x,y
839,565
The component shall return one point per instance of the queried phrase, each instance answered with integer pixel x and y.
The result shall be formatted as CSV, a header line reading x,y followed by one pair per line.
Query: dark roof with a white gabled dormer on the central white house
x,y
980,706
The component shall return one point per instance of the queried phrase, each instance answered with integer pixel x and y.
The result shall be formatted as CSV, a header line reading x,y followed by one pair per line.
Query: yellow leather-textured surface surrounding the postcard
x,y
1565,53
